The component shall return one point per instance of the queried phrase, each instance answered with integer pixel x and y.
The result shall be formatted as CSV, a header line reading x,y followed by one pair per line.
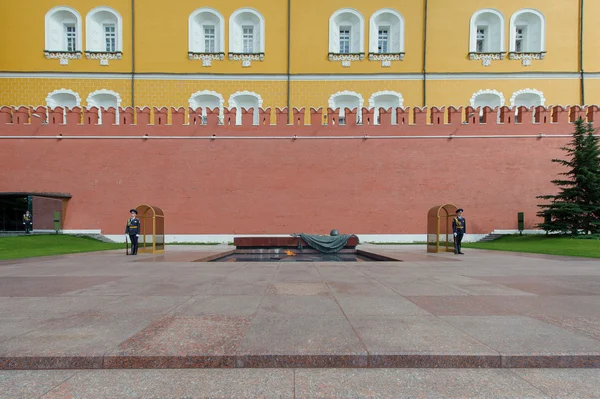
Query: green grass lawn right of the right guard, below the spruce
x,y
543,244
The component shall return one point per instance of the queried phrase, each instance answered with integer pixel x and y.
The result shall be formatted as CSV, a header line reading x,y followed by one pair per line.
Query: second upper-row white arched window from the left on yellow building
x,y
103,35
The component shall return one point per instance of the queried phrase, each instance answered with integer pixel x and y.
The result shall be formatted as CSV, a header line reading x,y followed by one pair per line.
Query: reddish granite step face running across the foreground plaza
x,y
88,361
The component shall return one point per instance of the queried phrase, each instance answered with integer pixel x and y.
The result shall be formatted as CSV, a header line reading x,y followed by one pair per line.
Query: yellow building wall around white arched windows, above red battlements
x,y
162,46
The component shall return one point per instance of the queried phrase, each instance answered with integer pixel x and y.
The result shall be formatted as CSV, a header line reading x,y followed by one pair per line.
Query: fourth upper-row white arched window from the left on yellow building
x,y
246,36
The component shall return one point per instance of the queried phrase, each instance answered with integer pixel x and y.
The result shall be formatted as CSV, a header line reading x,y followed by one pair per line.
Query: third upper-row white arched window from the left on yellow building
x,y
206,36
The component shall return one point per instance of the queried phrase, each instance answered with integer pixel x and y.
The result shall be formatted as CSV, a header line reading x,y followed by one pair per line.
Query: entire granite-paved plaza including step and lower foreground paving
x,y
487,324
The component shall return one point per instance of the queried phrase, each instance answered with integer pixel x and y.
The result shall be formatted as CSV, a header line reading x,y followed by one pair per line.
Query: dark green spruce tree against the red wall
x,y
576,208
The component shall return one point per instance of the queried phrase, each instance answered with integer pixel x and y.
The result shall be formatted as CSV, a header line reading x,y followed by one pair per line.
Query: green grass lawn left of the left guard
x,y
50,244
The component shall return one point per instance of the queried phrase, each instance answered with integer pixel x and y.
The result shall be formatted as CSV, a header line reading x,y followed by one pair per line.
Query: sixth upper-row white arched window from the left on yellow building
x,y
386,36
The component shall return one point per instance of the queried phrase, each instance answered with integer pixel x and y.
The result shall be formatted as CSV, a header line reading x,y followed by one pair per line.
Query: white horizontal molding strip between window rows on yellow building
x,y
299,78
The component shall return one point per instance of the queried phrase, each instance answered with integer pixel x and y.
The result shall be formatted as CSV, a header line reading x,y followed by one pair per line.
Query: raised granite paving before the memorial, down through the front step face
x,y
107,310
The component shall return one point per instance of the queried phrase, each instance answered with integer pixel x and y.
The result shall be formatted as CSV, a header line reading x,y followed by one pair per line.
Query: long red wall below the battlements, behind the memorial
x,y
268,186
